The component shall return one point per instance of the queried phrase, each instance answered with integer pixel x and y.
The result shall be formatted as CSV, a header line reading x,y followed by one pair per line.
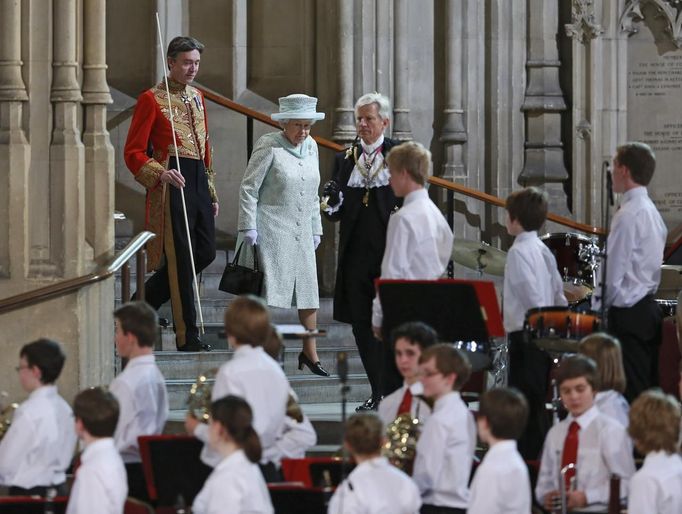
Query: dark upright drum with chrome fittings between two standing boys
x,y
574,254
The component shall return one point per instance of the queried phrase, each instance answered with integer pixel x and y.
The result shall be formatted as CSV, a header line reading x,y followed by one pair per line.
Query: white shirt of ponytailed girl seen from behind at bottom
x,y
236,486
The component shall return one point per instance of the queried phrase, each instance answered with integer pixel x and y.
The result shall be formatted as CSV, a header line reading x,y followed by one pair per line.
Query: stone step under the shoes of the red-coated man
x,y
176,365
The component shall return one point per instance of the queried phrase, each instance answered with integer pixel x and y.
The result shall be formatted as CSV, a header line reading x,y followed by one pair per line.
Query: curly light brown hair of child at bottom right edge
x,y
655,422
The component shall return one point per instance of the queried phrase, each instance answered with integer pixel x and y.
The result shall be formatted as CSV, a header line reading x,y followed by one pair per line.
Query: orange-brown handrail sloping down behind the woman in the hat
x,y
436,181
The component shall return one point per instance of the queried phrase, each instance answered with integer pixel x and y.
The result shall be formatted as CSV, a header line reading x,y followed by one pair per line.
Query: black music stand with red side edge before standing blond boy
x,y
458,310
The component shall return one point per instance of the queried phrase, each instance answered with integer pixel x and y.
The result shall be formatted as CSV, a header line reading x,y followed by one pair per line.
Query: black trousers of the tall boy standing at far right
x,y
638,328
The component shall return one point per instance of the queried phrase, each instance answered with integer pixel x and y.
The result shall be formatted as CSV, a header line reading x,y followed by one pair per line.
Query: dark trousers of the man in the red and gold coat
x,y
174,280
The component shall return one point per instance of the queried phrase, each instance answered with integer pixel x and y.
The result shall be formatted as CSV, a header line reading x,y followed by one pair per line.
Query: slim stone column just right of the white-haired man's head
x,y
401,120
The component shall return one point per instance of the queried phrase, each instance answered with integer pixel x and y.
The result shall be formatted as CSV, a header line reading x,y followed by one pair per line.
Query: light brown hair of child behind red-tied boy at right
x,y
605,351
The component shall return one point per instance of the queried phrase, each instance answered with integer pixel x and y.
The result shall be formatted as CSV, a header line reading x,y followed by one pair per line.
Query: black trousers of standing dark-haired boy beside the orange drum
x,y
529,369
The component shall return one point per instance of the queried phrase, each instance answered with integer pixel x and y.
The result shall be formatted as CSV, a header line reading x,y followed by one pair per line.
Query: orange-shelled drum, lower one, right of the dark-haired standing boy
x,y
558,329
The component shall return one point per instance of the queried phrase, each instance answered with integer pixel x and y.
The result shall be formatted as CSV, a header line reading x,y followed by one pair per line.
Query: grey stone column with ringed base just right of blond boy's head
x,y
454,135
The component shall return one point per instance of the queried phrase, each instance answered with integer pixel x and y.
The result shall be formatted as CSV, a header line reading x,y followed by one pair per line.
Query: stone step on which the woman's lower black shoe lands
x,y
309,388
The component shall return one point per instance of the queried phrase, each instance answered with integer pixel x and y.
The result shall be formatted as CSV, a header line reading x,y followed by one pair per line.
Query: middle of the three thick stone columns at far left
x,y
67,207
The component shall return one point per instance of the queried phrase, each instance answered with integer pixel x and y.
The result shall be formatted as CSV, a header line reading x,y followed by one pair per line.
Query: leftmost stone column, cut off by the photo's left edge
x,y
14,148
